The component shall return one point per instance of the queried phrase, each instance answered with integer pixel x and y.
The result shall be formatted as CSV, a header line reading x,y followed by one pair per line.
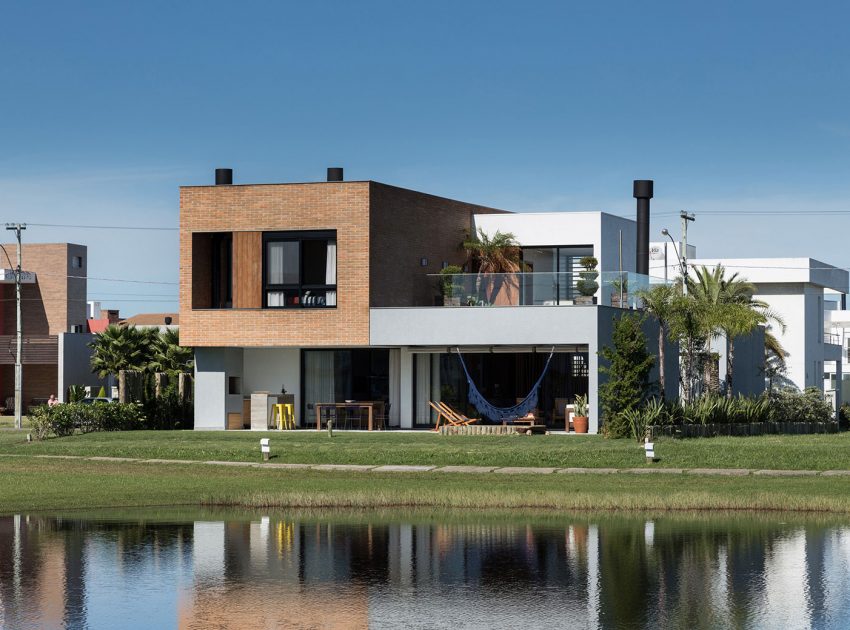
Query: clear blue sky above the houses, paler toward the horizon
x,y
107,107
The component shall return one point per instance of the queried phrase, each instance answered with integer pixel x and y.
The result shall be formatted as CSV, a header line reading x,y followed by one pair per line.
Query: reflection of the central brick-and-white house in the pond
x,y
276,573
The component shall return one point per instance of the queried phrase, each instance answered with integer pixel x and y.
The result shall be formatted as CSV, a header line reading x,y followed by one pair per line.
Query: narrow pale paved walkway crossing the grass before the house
x,y
468,470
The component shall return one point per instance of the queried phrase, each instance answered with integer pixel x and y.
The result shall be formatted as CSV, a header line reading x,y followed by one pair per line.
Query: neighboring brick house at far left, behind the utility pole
x,y
52,307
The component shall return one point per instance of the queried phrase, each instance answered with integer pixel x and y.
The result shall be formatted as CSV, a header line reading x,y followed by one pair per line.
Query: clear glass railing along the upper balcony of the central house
x,y
608,288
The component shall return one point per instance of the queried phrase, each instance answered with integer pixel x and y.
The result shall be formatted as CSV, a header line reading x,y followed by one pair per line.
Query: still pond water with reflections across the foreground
x,y
217,569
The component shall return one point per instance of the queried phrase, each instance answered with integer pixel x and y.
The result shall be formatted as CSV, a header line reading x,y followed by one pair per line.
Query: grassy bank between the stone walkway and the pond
x,y
54,484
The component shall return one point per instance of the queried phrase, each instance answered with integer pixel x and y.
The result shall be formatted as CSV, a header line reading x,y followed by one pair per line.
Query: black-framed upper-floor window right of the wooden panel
x,y
299,269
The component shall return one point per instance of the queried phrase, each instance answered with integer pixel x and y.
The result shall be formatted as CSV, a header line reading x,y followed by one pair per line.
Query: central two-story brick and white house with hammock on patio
x,y
330,290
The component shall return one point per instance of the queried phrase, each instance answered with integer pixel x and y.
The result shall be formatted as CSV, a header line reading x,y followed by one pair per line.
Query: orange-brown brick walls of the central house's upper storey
x,y
382,234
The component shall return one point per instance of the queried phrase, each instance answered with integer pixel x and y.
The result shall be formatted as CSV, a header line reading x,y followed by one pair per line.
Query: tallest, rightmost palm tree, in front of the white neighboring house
x,y
734,312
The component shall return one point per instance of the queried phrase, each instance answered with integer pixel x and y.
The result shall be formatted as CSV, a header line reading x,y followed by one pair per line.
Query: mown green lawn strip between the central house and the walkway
x,y
816,452
